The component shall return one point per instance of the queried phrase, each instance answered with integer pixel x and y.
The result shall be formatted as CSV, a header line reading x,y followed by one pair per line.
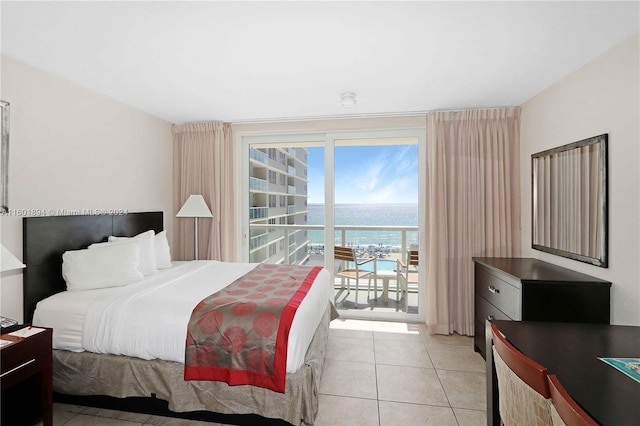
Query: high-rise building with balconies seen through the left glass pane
x,y
278,196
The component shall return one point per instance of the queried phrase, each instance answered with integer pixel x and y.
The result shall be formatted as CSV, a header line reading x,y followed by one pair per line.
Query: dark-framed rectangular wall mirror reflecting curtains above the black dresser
x,y
569,201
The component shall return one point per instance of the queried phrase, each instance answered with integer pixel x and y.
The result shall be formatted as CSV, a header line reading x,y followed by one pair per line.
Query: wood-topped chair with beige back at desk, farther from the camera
x,y
523,388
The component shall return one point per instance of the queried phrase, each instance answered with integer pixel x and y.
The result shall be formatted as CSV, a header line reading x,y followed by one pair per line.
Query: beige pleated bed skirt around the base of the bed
x,y
87,373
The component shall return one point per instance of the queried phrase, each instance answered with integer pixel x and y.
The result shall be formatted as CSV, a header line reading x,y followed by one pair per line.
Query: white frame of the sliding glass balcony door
x,y
328,140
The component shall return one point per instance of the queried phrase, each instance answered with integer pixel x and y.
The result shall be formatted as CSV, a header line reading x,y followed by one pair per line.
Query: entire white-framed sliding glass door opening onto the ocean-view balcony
x,y
310,193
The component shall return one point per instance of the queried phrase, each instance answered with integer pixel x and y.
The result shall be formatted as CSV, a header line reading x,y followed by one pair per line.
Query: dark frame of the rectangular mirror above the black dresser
x,y
602,260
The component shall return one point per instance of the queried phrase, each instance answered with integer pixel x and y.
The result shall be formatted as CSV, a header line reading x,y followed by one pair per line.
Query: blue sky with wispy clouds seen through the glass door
x,y
366,174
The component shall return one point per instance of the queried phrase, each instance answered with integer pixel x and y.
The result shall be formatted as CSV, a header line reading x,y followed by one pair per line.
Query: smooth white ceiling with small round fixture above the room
x,y
241,61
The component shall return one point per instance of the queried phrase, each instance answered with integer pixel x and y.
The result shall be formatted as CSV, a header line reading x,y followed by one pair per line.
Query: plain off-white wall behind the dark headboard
x,y
74,149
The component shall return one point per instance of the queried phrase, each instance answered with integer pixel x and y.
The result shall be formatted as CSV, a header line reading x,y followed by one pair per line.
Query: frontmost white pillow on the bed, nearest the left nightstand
x,y
105,266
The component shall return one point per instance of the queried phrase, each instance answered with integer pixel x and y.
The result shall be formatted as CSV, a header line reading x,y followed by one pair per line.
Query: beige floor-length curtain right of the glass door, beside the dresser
x,y
472,204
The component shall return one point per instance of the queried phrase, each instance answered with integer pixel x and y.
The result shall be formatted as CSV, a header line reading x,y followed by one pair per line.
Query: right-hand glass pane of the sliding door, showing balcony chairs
x,y
376,215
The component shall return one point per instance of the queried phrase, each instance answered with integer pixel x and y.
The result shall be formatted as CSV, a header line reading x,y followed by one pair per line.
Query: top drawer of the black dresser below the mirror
x,y
498,292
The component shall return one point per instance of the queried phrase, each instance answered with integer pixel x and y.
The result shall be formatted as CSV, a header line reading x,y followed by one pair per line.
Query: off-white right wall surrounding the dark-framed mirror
x,y
601,97
